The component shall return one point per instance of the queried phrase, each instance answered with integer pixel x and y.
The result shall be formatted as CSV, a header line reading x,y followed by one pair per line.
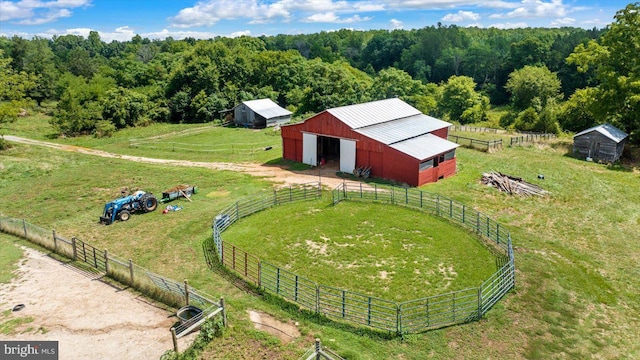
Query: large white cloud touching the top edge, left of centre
x,y
207,13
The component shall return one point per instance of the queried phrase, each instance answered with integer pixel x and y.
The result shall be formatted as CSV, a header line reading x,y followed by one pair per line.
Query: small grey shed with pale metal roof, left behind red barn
x,y
260,114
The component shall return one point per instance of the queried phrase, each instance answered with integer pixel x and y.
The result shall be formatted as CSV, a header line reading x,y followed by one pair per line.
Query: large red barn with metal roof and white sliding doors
x,y
392,137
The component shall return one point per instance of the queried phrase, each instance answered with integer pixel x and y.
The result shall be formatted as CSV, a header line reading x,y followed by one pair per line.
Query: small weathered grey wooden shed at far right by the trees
x,y
603,143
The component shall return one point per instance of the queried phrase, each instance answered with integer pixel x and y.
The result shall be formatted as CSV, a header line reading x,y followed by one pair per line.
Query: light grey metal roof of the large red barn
x,y
397,124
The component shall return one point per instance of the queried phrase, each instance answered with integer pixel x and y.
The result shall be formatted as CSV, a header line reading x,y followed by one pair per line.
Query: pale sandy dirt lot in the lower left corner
x,y
89,318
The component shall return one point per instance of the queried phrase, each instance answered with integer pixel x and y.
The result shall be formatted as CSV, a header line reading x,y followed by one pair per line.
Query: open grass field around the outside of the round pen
x,y
577,251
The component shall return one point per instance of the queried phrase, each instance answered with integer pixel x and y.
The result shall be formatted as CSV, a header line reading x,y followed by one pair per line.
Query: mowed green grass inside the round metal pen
x,y
383,251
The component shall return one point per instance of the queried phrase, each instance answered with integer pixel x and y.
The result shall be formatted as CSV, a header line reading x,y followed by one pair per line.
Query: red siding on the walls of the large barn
x,y
385,162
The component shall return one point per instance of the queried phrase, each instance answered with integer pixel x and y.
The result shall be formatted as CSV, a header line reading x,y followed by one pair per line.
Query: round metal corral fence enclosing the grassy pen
x,y
407,317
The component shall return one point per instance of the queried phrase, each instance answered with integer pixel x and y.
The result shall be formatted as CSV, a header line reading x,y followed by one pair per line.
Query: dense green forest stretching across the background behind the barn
x,y
547,80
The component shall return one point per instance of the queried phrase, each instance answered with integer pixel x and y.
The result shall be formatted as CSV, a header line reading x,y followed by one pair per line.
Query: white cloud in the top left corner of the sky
x,y
37,12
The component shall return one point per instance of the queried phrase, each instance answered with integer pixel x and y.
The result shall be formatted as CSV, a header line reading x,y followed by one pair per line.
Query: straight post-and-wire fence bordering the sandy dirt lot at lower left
x,y
160,288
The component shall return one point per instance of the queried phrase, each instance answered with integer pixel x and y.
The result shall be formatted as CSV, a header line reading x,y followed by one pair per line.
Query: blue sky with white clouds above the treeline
x,y
122,19
